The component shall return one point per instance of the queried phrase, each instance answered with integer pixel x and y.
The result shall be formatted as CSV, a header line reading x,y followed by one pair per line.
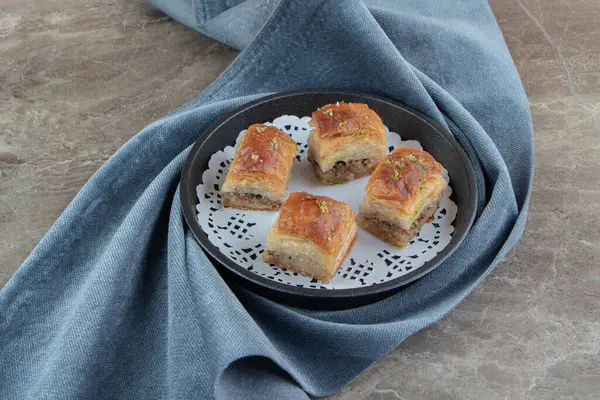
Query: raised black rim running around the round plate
x,y
281,289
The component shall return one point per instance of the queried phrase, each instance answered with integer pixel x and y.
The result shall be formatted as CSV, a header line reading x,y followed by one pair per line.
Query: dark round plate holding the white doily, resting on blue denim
x,y
410,124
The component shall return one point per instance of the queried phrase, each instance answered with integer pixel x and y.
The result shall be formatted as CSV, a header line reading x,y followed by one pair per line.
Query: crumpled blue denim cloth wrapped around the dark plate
x,y
119,301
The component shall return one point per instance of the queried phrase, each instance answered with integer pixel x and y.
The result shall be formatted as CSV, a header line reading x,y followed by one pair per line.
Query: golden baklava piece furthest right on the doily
x,y
403,193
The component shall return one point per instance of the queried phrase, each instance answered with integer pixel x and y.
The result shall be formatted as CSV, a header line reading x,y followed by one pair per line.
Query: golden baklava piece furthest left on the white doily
x,y
259,173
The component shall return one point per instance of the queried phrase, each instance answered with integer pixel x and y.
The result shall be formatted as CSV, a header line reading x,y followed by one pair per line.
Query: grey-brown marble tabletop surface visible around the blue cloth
x,y
78,79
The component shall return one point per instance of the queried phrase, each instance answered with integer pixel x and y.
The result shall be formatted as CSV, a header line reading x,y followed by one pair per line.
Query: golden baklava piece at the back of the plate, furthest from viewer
x,y
347,142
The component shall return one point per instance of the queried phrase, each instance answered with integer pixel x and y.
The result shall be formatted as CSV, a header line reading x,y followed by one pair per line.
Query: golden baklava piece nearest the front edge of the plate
x,y
312,235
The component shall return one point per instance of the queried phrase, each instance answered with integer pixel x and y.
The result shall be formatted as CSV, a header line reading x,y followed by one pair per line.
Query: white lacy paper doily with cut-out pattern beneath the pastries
x,y
241,235
